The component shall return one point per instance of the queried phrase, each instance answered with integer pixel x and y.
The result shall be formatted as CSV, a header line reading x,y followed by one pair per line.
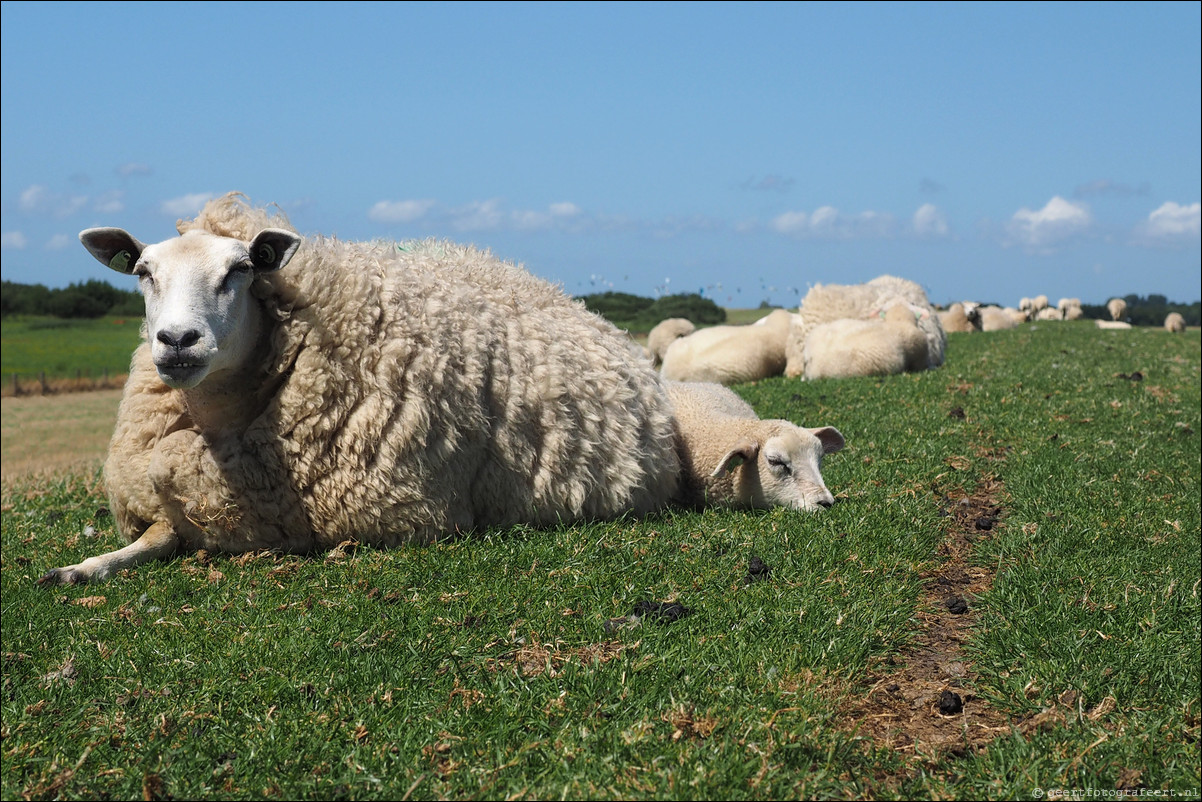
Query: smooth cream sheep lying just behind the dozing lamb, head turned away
x,y
730,354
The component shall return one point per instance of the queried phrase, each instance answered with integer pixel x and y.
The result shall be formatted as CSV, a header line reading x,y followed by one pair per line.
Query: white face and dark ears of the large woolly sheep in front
x,y
201,316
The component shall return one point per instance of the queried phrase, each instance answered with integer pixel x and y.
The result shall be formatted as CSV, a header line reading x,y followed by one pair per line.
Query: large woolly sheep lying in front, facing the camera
x,y
294,394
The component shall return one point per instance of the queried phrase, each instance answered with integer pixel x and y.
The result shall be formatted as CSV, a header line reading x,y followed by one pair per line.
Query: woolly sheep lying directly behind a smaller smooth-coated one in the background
x,y
831,302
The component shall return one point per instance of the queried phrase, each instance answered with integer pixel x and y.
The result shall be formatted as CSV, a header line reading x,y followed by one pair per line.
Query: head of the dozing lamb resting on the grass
x,y
781,465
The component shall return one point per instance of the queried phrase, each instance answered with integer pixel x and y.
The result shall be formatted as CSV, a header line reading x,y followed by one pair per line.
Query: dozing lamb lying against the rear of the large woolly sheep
x,y
731,458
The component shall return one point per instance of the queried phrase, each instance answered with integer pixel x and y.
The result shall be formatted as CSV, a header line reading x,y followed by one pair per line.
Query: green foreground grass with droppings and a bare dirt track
x,y
1017,531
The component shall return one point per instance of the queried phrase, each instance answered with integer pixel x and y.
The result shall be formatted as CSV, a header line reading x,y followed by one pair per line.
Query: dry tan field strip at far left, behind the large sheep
x,y
56,435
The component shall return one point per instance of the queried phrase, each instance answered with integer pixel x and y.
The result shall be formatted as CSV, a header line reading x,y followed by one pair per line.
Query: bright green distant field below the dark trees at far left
x,y
64,349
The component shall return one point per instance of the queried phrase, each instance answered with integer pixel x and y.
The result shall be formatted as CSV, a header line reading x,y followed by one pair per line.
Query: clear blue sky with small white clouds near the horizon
x,y
748,151
